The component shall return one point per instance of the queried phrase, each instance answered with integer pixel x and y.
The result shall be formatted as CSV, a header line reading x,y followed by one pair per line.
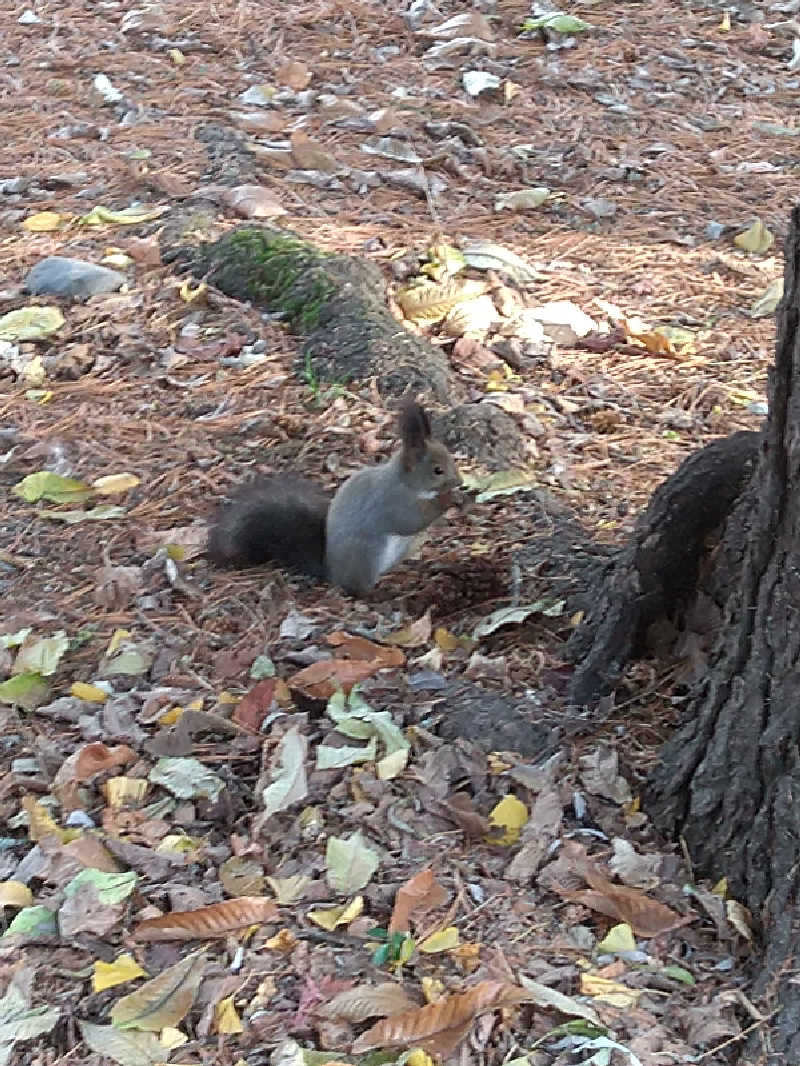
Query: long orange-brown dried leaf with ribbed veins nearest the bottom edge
x,y
442,1025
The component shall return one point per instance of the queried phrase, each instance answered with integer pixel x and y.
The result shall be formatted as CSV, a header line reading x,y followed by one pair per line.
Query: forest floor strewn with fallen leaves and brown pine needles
x,y
664,134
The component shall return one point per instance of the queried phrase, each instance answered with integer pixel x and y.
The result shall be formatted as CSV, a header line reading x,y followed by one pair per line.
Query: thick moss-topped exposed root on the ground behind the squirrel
x,y
335,303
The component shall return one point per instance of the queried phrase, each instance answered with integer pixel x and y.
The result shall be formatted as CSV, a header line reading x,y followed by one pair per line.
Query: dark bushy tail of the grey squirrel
x,y
278,520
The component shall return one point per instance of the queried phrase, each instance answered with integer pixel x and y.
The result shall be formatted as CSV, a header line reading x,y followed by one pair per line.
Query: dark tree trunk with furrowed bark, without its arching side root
x,y
729,783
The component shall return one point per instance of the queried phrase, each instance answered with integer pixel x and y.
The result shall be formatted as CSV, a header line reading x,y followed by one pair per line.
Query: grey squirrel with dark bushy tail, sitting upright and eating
x,y
355,537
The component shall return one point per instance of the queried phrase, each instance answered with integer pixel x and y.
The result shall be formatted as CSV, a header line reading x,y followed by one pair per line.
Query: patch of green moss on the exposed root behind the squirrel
x,y
280,272
